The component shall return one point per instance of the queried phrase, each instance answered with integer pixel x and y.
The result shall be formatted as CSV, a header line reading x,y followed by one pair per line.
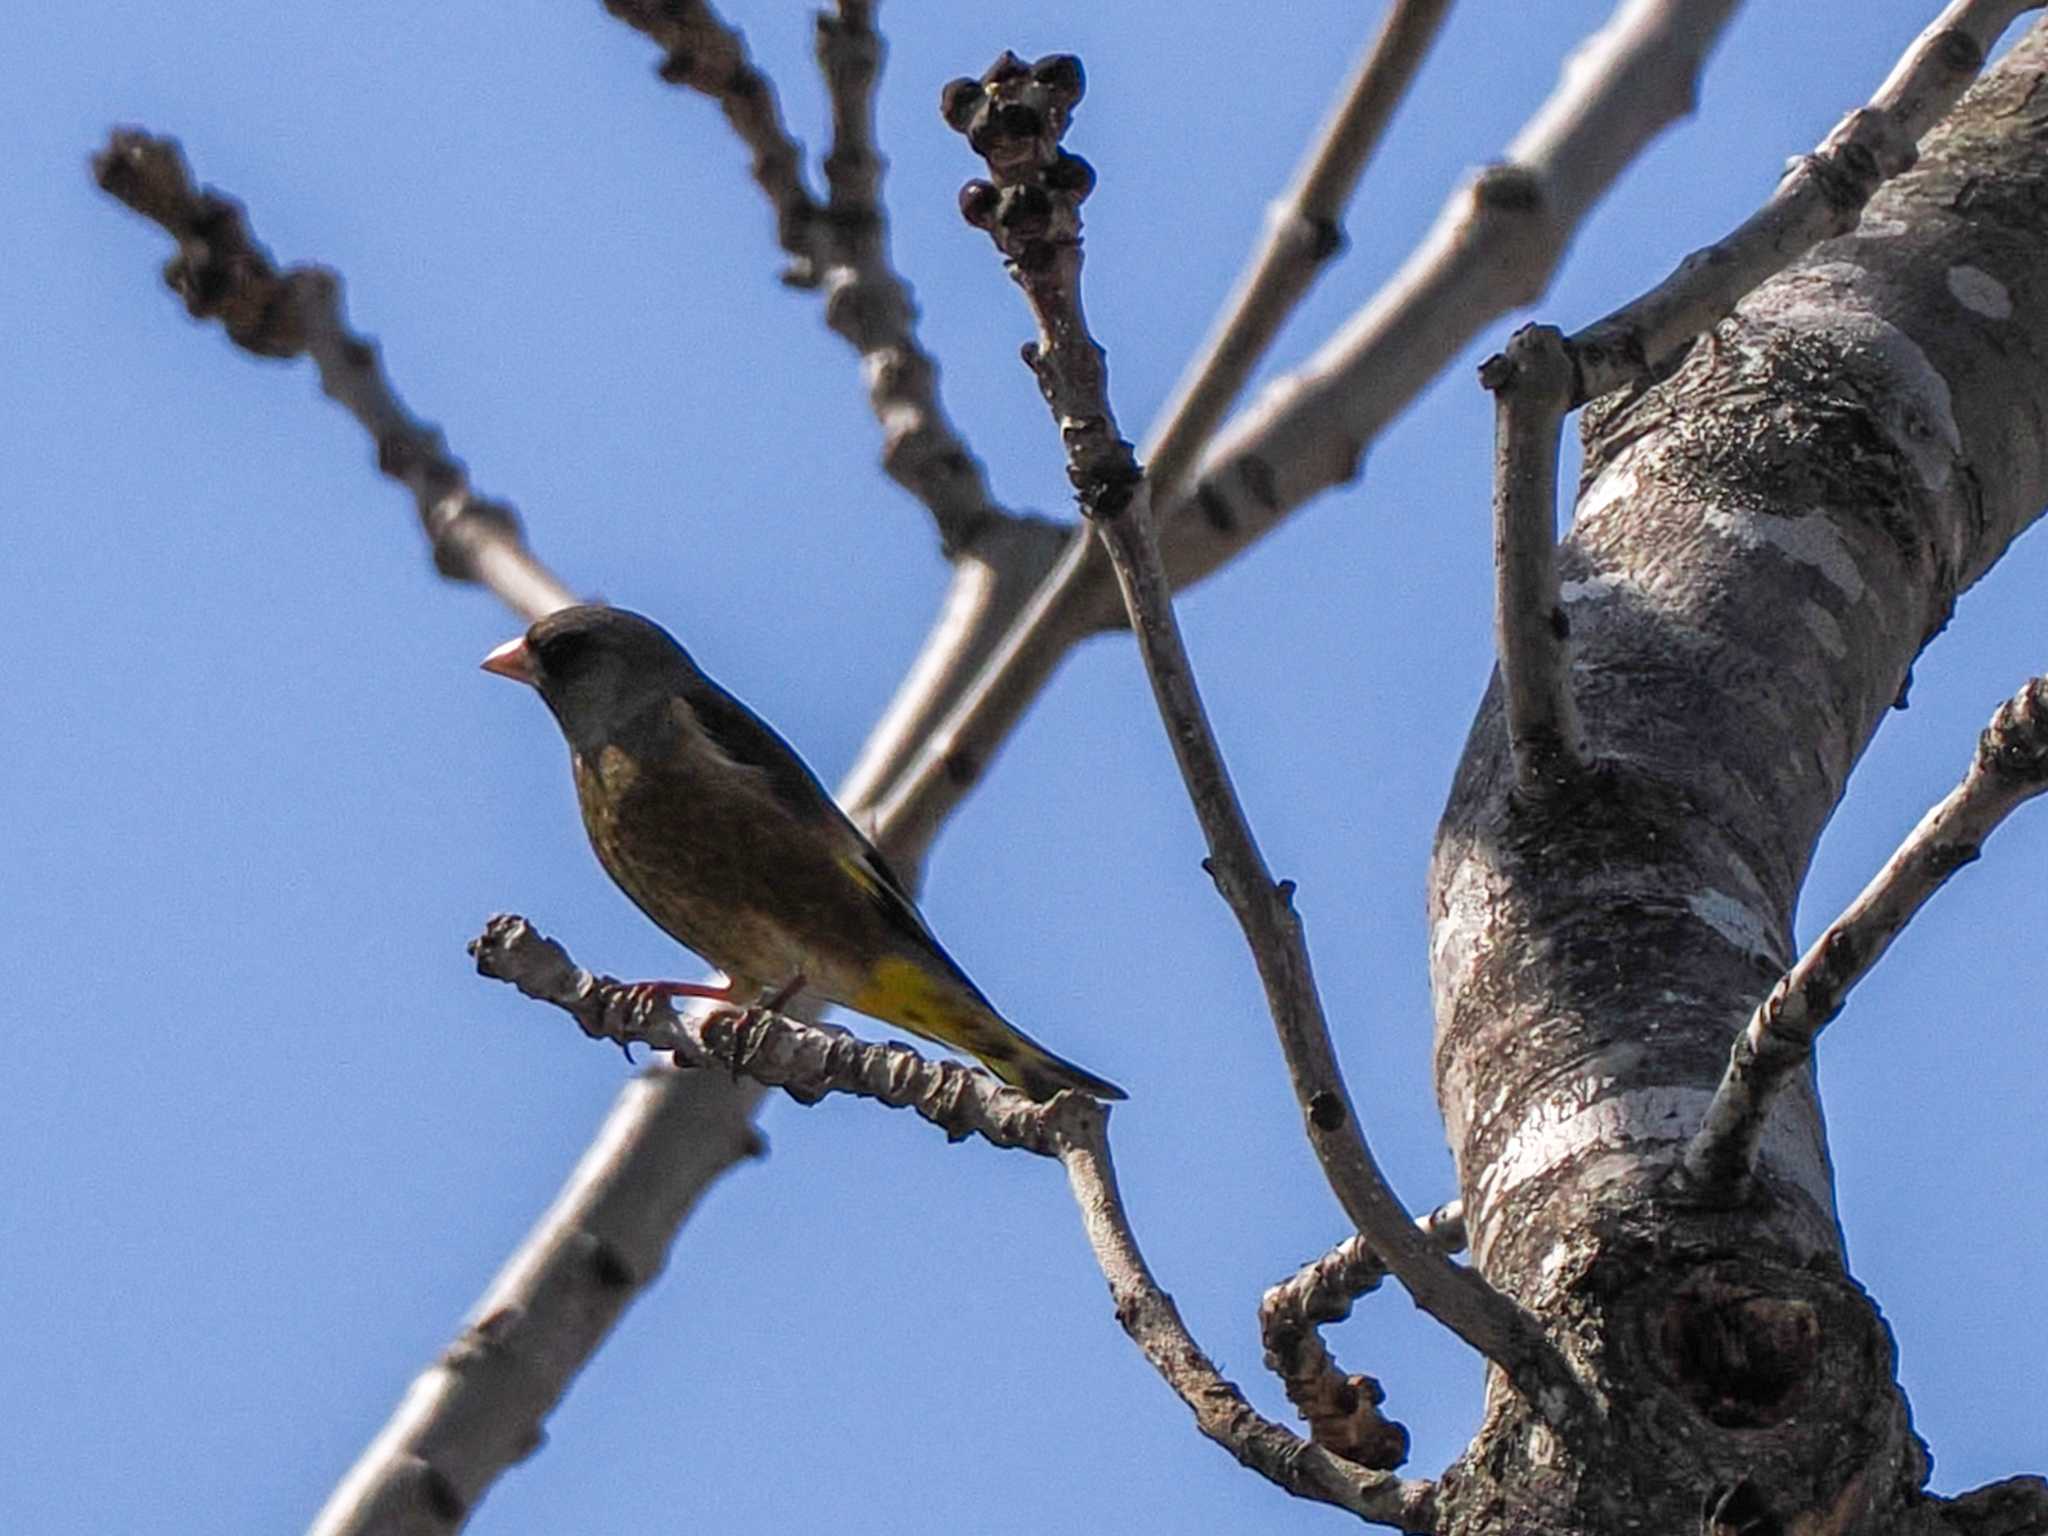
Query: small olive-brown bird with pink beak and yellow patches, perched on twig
x,y
718,830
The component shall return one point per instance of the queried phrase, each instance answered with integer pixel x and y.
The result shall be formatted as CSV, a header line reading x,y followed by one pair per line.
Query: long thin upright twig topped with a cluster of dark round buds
x,y
1031,206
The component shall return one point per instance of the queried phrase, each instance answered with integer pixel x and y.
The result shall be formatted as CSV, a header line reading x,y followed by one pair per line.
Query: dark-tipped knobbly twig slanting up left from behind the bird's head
x,y
224,273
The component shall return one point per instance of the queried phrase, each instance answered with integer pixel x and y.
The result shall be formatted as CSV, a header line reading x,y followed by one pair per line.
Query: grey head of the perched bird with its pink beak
x,y
597,669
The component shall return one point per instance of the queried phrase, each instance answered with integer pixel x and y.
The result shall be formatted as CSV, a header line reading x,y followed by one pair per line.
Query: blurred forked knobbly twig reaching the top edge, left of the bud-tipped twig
x,y
841,247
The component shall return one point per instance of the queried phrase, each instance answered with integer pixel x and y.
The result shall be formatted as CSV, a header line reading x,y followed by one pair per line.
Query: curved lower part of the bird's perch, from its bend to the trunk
x,y
1222,1412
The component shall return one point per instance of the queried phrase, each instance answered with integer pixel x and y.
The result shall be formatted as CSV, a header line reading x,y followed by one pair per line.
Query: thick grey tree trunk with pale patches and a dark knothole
x,y
1764,544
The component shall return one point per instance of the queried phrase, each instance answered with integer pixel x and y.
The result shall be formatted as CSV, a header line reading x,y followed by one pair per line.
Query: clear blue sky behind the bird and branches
x,y
265,1136
